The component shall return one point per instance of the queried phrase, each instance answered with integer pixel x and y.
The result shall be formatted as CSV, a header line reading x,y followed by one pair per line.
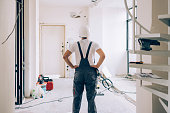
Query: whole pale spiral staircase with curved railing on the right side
x,y
162,92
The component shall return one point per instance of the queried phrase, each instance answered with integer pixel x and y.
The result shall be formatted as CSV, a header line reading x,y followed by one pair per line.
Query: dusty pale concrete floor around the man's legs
x,y
109,103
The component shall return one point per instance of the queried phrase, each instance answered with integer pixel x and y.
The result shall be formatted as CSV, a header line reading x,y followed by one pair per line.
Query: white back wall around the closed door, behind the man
x,y
55,15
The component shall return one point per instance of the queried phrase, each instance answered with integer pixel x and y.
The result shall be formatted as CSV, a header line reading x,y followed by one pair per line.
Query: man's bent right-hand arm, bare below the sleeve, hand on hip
x,y
101,59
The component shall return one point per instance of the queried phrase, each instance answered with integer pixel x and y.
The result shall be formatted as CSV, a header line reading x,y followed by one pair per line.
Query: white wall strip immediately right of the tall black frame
x,y
31,29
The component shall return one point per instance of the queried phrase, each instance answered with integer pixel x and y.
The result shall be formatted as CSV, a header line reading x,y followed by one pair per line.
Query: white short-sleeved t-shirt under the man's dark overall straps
x,y
84,46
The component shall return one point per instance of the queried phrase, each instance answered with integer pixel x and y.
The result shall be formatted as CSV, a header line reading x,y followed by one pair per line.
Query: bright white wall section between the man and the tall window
x,y
114,39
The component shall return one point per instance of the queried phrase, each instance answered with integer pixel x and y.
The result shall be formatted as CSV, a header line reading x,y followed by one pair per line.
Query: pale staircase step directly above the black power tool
x,y
155,36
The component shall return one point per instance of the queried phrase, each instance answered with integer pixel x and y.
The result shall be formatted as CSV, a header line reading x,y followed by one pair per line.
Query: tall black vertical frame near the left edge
x,y
19,53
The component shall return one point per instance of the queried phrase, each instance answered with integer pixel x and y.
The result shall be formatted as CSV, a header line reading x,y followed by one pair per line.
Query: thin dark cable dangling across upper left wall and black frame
x,y
14,24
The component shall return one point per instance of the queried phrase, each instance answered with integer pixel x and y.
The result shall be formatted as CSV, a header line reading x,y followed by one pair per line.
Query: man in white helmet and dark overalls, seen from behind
x,y
85,70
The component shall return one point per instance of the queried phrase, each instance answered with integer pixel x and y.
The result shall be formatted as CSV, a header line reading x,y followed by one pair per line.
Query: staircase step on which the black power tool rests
x,y
152,52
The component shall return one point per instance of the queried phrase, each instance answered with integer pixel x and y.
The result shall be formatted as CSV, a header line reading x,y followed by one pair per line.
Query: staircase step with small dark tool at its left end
x,y
151,66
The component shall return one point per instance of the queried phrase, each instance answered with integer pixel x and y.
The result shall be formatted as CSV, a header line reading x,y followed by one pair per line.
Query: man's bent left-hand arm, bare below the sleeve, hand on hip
x,y
65,57
